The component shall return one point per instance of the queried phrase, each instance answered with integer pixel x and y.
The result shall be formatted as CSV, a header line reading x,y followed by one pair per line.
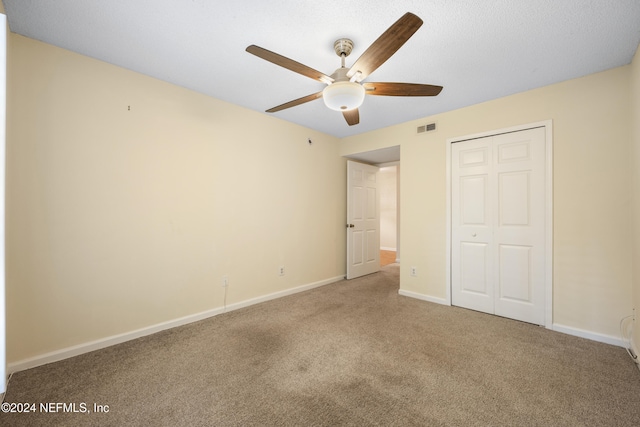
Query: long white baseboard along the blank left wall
x,y
76,350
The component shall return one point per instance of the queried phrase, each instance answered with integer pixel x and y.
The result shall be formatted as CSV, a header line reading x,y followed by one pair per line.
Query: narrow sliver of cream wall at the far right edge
x,y
635,165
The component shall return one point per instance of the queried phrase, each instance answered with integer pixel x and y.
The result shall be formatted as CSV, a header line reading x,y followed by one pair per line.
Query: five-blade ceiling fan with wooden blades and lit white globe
x,y
344,91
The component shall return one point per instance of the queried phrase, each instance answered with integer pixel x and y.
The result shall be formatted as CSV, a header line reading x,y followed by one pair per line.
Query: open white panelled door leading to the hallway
x,y
363,220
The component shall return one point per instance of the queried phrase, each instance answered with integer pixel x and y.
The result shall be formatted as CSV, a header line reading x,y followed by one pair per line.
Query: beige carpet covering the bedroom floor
x,y
352,353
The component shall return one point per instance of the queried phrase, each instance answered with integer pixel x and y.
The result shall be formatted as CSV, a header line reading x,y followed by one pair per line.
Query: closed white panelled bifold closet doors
x,y
498,225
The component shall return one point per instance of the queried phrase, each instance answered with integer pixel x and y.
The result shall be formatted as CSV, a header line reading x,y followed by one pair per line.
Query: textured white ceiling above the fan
x,y
477,49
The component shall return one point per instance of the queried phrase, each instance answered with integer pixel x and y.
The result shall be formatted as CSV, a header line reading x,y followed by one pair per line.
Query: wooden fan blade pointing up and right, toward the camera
x,y
386,45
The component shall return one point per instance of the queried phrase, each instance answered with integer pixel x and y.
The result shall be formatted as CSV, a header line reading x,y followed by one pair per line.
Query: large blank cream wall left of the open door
x,y
120,219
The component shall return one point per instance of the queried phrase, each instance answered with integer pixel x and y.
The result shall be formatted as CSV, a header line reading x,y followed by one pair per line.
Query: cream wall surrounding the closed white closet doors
x,y
592,173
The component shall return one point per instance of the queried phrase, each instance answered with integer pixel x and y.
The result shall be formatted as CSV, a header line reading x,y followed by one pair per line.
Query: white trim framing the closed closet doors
x,y
548,125
